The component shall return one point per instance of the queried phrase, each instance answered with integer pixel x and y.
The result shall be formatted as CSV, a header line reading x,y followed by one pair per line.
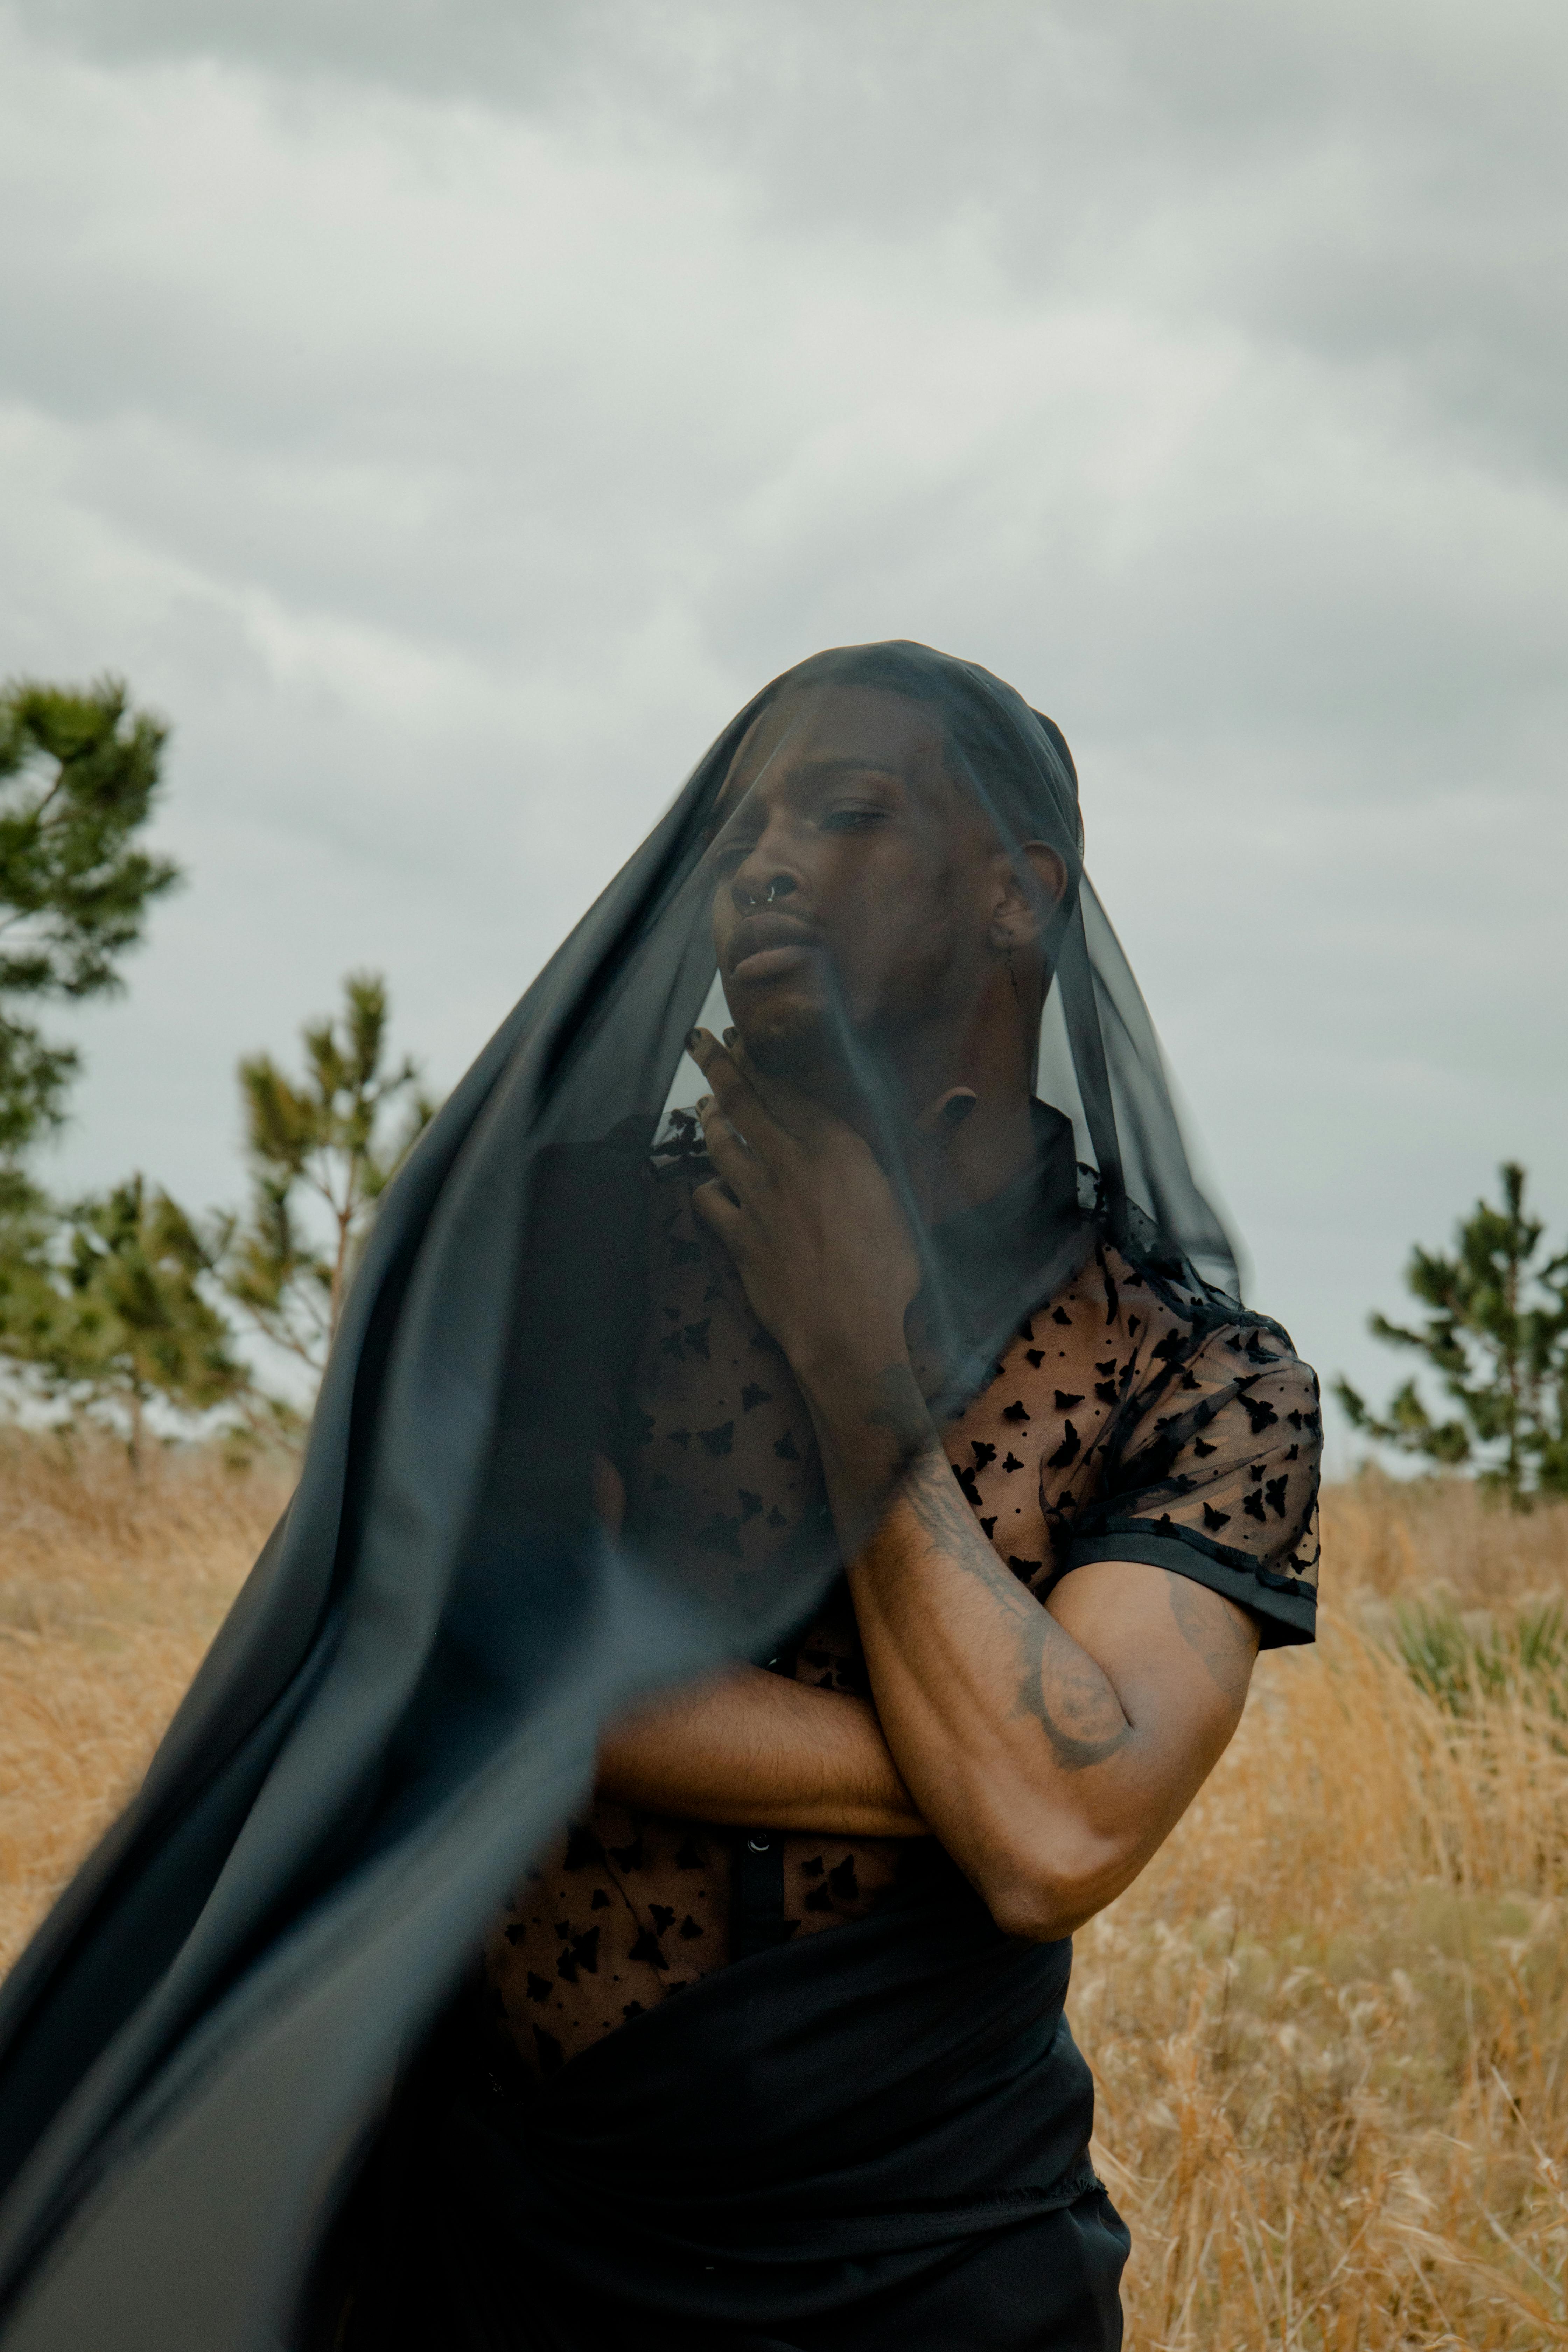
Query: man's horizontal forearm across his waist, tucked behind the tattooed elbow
x,y
760,1751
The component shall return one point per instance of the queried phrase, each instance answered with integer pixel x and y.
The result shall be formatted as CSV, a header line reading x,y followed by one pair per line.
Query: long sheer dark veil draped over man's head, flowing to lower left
x,y
406,1699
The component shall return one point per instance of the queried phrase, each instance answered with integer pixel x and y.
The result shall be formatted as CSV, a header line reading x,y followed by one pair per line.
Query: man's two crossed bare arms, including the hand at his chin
x,y
1052,1749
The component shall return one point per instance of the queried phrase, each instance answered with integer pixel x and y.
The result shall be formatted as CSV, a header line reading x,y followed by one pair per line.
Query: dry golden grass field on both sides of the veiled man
x,y
1327,2024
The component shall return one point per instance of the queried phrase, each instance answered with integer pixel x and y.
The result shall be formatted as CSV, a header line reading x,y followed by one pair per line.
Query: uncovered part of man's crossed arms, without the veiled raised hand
x,y
1052,1749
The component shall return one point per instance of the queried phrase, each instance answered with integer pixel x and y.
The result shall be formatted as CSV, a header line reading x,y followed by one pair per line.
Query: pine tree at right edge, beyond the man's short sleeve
x,y
1496,1337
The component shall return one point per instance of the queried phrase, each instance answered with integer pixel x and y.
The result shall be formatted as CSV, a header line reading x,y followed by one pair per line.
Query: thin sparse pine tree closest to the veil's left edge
x,y
321,1158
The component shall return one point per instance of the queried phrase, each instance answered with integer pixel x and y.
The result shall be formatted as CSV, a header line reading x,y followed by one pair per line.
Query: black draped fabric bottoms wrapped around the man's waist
x,y
871,2141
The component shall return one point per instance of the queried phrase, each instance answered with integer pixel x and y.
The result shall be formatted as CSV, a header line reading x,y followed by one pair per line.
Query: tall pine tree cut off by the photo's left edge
x,y
79,780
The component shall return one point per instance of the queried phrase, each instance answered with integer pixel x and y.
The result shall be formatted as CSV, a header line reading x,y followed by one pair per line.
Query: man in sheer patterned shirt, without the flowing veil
x,y
1038,1648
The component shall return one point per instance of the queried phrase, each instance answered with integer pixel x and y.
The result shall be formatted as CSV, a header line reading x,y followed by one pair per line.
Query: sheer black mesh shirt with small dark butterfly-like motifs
x,y
1130,1417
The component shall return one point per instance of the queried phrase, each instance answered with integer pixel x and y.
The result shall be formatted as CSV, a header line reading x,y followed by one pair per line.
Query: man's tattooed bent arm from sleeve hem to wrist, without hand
x,y
1050,1749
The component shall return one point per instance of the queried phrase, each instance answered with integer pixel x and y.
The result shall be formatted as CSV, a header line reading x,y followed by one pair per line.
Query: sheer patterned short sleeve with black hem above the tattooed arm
x,y
1214,1474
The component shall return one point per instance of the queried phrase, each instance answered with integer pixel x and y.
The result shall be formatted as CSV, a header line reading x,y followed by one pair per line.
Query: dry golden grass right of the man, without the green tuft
x,y
1329,2022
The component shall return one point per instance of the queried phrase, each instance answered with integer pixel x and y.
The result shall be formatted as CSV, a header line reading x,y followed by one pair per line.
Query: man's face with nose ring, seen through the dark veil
x,y
855,883
